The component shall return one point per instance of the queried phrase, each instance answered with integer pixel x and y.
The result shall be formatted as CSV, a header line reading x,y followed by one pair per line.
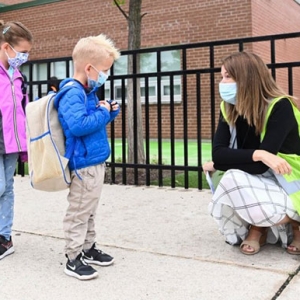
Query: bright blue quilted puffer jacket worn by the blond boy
x,y
84,124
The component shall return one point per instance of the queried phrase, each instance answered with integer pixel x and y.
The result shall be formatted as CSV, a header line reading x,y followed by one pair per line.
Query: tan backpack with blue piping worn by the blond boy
x,y
47,160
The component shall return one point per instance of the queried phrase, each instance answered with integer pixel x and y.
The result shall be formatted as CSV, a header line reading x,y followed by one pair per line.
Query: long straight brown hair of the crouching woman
x,y
255,88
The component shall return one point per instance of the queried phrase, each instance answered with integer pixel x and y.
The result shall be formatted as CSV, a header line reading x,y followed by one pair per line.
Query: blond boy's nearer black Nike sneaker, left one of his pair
x,y
79,269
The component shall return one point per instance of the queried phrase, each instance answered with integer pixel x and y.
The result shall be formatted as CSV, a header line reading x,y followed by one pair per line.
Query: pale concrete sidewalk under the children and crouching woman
x,y
165,245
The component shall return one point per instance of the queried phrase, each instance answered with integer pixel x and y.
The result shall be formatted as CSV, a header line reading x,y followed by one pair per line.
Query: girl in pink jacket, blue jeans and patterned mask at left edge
x,y
15,44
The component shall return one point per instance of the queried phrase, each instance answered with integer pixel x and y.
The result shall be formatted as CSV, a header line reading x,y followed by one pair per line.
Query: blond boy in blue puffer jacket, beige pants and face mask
x,y
84,118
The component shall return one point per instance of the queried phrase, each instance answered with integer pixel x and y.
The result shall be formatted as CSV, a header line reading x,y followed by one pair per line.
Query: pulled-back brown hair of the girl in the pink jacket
x,y
14,32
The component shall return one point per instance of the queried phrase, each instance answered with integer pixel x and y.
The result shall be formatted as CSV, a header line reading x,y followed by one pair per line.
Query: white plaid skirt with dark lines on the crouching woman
x,y
242,199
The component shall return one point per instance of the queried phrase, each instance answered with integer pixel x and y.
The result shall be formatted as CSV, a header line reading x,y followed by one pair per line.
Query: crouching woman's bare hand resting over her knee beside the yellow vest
x,y
276,163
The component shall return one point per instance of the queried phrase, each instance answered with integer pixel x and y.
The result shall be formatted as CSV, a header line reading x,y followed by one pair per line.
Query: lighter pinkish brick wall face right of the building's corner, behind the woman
x,y
276,17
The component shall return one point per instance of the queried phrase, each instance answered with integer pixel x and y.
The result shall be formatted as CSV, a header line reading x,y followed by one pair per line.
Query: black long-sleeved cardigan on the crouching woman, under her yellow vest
x,y
281,136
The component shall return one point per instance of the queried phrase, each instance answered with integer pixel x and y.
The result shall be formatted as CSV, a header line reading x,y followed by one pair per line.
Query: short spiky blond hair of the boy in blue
x,y
93,49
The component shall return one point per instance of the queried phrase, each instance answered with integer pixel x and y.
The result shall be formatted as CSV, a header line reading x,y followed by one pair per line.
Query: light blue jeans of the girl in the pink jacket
x,y
7,169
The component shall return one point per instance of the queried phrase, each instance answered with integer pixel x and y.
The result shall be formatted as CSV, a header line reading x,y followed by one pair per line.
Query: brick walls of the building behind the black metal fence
x,y
57,26
